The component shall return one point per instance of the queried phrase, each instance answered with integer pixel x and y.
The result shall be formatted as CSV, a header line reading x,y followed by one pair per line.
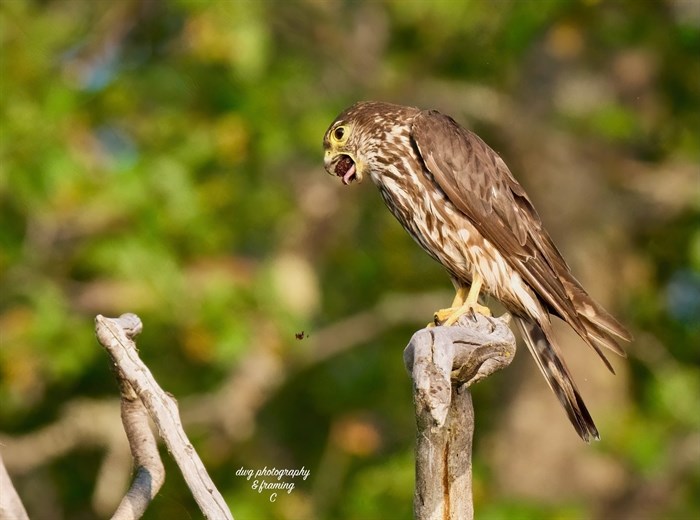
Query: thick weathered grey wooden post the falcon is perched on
x,y
444,362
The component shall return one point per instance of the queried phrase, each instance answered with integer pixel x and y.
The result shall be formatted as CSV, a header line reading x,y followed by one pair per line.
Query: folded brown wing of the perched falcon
x,y
479,184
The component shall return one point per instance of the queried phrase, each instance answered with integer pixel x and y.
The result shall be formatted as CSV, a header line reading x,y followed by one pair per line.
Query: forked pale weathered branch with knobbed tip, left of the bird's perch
x,y
138,384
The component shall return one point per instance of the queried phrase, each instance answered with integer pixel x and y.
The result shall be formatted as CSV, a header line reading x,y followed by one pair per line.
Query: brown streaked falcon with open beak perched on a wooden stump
x,y
459,201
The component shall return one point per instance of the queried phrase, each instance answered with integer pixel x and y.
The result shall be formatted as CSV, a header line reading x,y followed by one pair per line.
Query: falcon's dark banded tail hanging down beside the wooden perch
x,y
552,366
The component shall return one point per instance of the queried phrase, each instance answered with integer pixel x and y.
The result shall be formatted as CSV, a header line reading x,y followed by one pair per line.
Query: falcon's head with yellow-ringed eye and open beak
x,y
355,139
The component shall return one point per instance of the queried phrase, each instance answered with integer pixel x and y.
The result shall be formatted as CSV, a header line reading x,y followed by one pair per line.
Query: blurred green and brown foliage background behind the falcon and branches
x,y
164,158
